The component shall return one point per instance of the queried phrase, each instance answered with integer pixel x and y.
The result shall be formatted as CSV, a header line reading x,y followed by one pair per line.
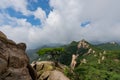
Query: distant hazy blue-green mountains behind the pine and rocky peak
x,y
32,53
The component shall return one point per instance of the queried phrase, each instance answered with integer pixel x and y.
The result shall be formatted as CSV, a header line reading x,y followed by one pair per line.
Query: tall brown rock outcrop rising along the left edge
x,y
14,63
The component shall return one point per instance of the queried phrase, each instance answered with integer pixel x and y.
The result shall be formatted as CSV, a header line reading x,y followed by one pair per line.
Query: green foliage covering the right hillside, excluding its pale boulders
x,y
108,69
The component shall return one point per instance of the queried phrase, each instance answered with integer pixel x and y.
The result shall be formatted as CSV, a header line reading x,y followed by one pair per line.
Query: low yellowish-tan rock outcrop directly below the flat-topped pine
x,y
47,70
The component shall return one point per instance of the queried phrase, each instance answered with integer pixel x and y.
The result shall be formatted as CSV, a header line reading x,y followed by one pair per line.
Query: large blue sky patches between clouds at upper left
x,y
32,6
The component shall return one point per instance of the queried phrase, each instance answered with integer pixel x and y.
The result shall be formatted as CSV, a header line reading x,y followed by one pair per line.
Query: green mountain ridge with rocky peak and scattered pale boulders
x,y
94,62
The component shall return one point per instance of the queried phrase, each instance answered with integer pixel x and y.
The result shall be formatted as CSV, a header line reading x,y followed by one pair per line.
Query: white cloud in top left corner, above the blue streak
x,y
15,4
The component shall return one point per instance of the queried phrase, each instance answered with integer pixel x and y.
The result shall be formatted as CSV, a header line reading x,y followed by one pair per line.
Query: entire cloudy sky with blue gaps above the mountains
x,y
41,22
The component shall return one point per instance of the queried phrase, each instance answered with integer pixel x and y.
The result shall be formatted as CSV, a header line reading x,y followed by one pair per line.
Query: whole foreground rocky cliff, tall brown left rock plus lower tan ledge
x,y
14,64
